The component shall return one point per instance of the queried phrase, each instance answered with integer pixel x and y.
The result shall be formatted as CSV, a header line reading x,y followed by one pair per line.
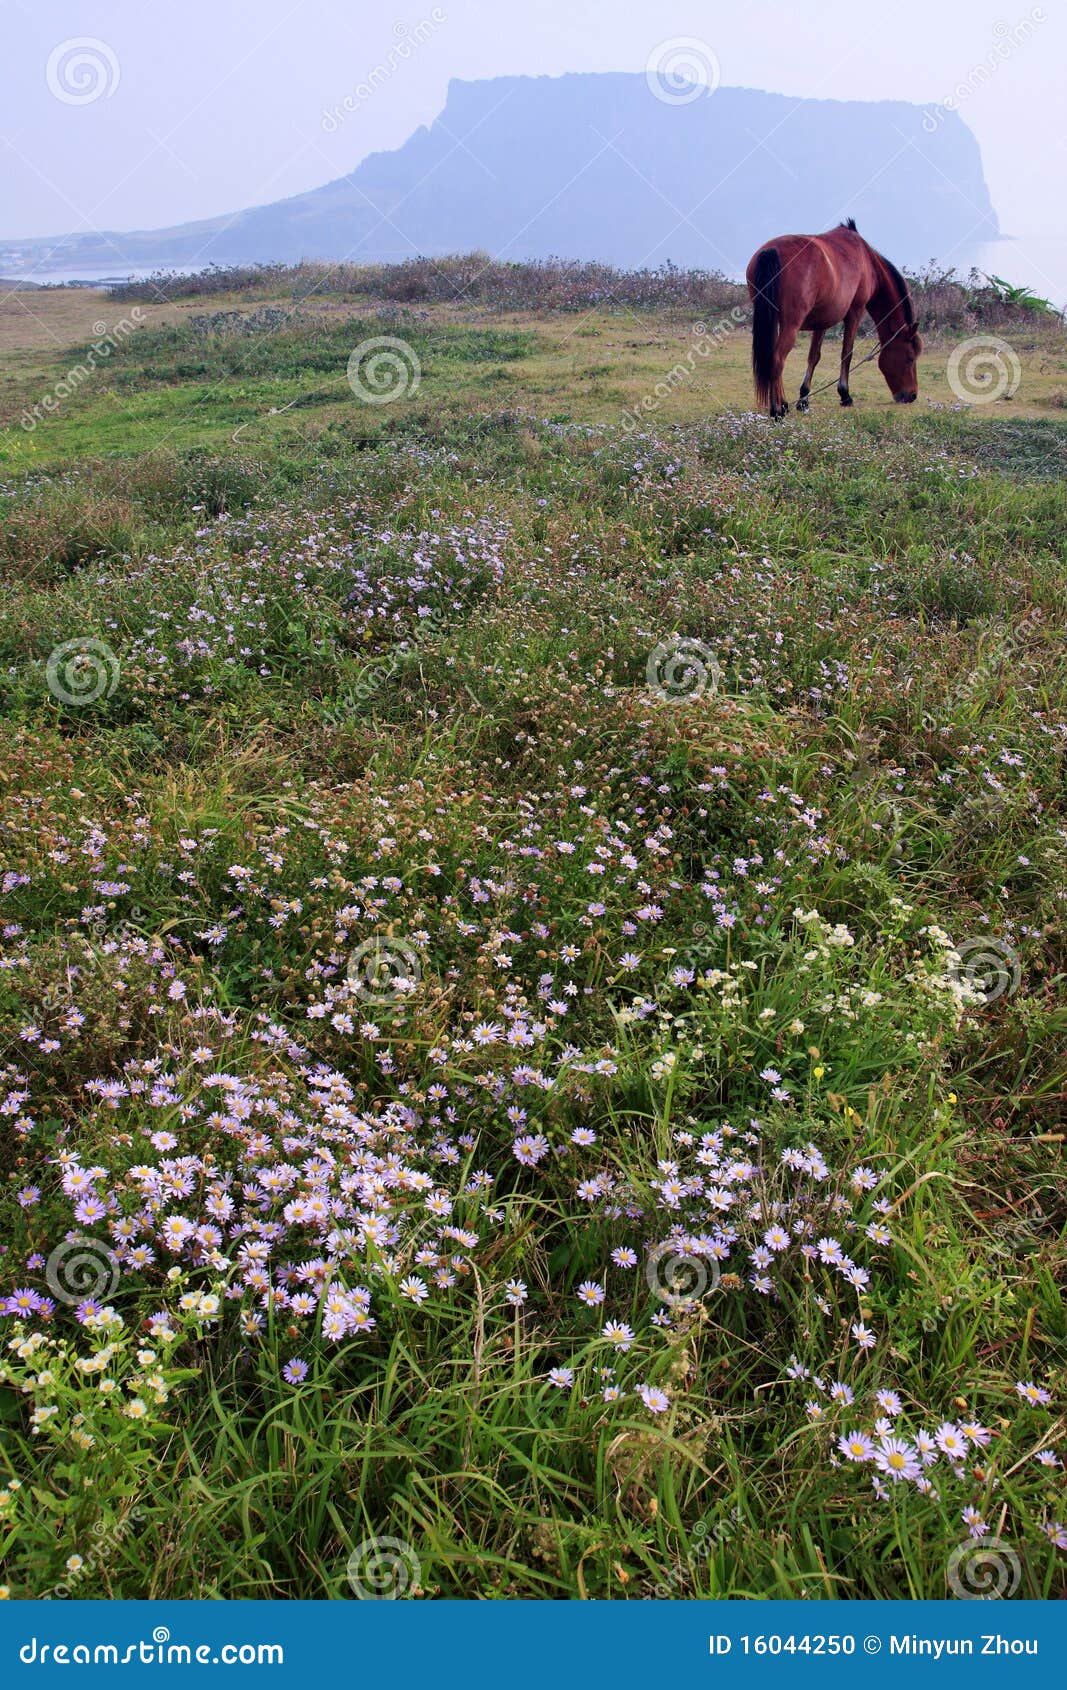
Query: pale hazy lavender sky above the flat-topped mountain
x,y
214,106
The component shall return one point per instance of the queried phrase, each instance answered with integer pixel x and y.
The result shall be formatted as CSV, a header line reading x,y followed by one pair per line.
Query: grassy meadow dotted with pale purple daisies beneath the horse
x,y
533,902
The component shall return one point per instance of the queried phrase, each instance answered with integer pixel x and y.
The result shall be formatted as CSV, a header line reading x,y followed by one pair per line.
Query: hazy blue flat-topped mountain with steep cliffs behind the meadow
x,y
599,168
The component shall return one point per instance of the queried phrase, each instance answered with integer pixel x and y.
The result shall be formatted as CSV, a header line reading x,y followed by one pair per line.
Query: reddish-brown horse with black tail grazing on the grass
x,y
816,281
